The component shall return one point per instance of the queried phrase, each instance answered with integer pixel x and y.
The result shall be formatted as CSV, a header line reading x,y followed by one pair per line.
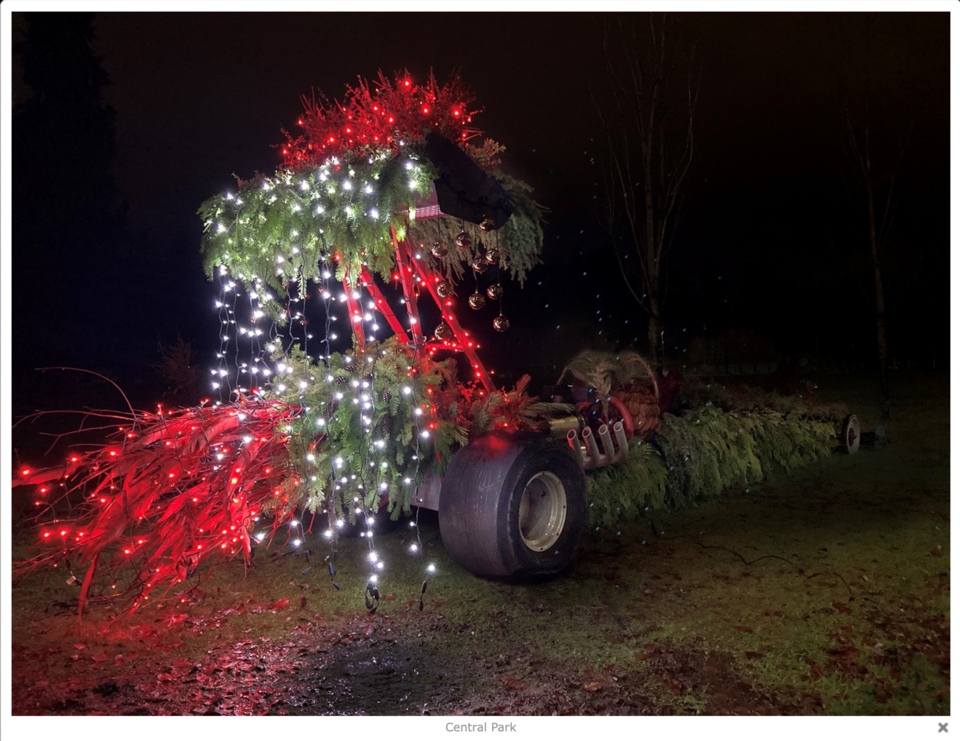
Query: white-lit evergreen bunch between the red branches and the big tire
x,y
360,434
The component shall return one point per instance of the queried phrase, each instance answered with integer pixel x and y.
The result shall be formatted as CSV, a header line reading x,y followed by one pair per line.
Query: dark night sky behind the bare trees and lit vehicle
x,y
767,232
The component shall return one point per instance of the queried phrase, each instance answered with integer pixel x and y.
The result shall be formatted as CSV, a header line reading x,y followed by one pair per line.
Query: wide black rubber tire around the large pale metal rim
x,y
481,498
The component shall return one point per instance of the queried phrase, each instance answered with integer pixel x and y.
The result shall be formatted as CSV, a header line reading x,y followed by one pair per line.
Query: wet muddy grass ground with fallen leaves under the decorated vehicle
x,y
826,592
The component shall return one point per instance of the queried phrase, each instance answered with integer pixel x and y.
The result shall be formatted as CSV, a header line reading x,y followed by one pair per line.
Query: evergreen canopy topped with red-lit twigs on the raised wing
x,y
343,205
